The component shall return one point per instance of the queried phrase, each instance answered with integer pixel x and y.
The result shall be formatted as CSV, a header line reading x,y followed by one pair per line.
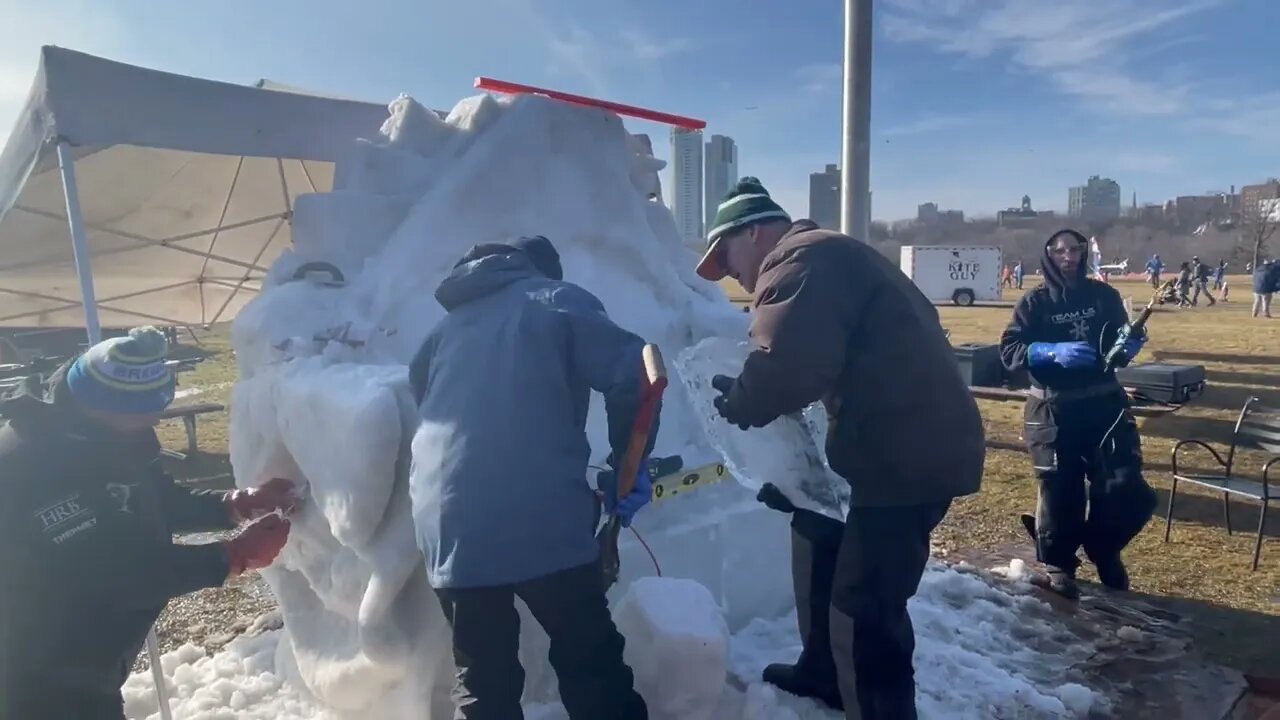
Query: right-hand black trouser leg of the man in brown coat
x,y
883,557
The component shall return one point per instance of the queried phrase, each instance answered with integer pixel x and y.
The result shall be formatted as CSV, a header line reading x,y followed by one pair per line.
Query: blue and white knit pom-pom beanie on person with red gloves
x,y
125,376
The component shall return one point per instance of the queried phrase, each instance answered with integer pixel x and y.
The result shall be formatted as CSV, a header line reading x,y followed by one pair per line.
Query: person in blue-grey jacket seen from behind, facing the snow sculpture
x,y
501,508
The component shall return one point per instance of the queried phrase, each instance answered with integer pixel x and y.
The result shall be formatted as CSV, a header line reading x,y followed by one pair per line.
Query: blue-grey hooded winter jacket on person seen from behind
x,y
504,384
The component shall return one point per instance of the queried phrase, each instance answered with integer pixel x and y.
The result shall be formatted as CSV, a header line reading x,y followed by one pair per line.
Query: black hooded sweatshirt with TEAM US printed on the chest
x,y
1091,312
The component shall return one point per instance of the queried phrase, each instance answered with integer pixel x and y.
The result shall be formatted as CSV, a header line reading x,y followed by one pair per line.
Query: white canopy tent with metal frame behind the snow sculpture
x,y
130,195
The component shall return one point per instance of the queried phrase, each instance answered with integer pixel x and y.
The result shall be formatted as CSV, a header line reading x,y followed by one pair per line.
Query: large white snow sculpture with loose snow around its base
x,y
323,399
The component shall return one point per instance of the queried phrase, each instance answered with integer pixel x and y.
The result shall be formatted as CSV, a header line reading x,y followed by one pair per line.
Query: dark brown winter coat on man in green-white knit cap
x,y
835,321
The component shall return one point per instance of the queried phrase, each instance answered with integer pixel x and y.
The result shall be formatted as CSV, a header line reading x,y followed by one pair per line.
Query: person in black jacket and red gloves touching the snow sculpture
x,y
88,518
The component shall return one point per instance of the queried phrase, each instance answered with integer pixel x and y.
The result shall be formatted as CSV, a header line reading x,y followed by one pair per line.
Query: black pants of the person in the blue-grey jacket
x,y
586,648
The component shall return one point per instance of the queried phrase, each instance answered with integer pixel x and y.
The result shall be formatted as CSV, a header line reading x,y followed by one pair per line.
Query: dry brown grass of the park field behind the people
x,y
1203,572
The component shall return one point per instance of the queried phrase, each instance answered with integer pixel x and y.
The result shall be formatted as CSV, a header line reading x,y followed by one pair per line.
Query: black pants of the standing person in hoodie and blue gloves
x,y
1064,441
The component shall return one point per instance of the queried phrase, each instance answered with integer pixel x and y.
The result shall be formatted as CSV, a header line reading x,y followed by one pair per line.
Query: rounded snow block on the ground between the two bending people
x,y
678,646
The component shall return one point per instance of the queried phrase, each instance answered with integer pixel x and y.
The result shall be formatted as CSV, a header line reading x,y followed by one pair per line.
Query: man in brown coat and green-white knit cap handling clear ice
x,y
835,321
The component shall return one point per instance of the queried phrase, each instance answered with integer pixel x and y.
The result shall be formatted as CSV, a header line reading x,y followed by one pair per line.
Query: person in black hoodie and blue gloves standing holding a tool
x,y
1077,420
